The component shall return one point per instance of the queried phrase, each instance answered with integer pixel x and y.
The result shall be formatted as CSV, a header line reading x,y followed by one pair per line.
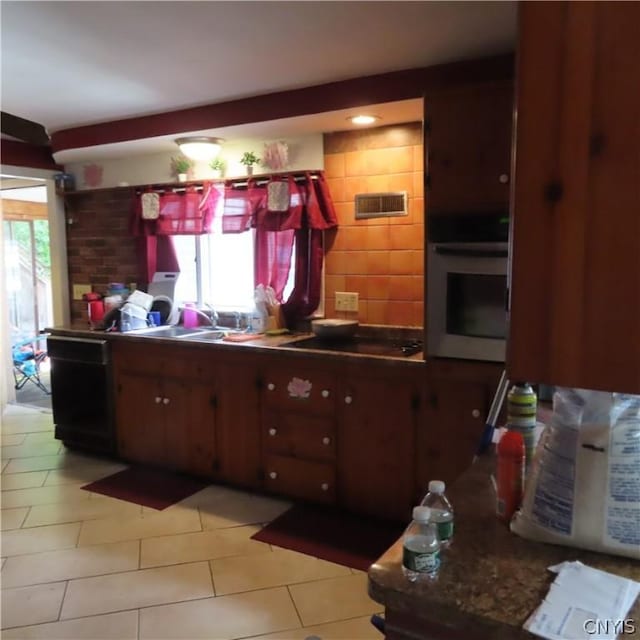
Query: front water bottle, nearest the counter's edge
x,y
421,547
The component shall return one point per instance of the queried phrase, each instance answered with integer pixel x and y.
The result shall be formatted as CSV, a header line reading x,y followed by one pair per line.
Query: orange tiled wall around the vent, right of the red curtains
x,y
380,258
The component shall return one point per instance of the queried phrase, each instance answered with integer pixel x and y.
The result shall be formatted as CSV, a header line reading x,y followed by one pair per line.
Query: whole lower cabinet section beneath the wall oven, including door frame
x,y
457,402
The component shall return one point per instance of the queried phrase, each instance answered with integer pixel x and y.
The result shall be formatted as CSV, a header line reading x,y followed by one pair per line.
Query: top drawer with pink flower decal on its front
x,y
300,388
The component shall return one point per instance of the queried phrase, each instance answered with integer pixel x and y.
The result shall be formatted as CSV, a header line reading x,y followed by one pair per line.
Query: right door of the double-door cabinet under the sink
x,y
190,423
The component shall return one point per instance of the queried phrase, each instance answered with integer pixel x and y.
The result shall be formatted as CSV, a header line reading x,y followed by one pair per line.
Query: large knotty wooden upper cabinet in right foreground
x,y
575,272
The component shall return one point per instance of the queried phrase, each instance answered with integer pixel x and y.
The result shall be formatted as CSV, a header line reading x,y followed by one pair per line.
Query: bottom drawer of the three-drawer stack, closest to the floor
x,y
300,478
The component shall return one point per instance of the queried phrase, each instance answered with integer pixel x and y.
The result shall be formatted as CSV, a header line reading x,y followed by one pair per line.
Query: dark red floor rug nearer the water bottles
x,y
352,541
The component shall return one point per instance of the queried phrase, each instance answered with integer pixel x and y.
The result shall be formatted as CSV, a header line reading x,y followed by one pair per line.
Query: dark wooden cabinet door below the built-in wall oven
x,y
449,435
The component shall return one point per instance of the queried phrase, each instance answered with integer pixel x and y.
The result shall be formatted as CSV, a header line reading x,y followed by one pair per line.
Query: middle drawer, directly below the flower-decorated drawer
x,y
298,435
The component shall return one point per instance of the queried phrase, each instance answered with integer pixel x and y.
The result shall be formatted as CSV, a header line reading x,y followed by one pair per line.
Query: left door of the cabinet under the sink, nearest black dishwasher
x,y
140,419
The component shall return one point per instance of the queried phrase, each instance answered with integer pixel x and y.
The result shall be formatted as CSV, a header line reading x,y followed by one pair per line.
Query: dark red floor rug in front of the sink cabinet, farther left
x,y
148,487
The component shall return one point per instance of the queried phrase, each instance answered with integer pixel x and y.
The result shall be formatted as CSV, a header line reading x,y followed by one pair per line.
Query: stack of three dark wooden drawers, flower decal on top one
x,y
298,430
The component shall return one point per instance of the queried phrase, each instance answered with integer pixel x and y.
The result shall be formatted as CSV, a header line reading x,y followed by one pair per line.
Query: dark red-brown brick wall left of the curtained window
x,y
100,247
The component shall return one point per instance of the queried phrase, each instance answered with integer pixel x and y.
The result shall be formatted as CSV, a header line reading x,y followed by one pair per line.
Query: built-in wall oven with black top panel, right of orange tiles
x,y
467,287
